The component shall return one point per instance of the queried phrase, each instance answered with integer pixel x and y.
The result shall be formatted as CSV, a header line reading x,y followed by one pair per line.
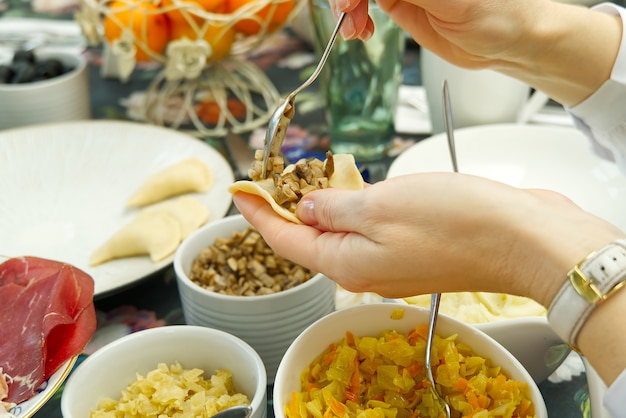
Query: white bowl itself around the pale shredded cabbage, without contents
x,y
113,367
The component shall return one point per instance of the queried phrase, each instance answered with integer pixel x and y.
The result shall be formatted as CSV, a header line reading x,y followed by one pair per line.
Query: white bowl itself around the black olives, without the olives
x,y
57,99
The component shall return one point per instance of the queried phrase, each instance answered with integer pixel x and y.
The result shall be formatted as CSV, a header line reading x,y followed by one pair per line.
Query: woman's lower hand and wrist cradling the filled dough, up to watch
x,y
428,233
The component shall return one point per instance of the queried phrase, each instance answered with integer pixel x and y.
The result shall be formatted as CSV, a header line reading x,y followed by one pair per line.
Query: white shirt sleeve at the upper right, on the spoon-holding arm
x,y
602,116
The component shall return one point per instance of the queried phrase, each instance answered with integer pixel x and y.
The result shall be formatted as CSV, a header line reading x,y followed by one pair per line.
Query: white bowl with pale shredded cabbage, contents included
x,y
175,371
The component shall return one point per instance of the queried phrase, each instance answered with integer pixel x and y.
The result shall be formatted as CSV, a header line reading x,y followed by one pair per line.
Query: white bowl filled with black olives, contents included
x,y
43,87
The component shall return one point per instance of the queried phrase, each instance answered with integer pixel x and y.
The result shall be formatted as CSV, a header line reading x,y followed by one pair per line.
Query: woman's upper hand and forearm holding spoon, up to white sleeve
x,y
541,42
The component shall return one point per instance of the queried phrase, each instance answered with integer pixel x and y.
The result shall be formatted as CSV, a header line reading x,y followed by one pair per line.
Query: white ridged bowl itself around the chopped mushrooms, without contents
x,y
269,323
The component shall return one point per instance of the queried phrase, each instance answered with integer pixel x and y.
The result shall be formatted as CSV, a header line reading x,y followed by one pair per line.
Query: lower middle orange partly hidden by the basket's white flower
x,y
220,38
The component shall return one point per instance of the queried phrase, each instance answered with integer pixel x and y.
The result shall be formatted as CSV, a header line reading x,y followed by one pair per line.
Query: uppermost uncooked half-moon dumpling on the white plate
x,y
187,176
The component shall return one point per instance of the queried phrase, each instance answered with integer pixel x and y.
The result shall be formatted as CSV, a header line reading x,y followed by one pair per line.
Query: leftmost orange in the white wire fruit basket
x,y
150,27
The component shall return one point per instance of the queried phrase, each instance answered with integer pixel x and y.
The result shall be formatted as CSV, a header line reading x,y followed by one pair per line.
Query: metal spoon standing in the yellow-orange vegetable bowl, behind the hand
x,y
436,297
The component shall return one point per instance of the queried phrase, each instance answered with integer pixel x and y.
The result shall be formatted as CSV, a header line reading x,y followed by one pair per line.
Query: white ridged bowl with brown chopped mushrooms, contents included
x,y
229,279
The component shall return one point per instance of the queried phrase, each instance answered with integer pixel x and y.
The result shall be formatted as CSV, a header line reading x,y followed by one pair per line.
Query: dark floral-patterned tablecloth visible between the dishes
x,y
287,60
